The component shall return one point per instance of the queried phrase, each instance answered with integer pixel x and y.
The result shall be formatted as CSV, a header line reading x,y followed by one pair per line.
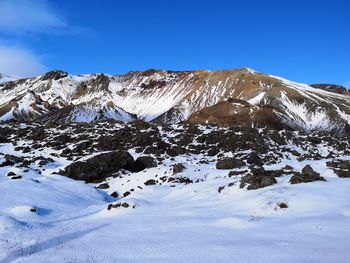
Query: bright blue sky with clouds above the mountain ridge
x,y
306,41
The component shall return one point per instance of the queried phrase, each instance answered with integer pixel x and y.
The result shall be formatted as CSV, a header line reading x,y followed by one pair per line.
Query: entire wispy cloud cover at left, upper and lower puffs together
x,y
19,21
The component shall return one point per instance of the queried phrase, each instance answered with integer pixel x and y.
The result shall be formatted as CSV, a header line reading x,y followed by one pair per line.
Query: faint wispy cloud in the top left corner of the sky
x,y
29,16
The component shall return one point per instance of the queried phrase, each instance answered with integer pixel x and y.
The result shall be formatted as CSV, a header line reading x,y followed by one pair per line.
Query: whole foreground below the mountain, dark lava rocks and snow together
x,y
110,191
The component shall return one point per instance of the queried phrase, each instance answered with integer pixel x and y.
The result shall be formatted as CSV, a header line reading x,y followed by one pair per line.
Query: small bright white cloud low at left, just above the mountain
x,y
20,62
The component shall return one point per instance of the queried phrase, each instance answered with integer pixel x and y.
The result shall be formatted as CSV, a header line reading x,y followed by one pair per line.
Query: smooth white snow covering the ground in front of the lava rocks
x,y
46,217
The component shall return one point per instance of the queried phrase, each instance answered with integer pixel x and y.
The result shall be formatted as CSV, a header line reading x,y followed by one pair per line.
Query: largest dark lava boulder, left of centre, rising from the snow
x,y
99,167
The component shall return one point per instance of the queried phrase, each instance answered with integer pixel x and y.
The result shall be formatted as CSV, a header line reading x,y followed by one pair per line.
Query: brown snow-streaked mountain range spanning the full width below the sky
x,y
172,97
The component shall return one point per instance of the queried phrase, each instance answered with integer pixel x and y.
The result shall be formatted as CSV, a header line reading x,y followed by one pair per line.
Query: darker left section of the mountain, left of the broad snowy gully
x,y
56,96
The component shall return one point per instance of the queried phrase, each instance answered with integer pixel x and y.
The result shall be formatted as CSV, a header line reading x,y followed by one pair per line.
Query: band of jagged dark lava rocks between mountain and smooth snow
x,y
98,151
